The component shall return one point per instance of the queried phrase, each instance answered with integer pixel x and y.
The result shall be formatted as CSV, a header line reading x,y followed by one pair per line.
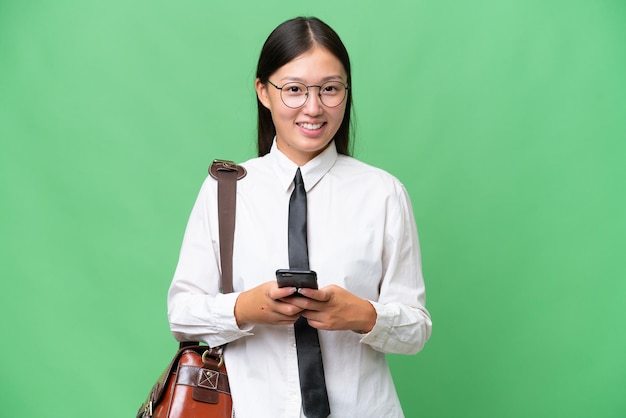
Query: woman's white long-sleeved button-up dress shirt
x,y
361,236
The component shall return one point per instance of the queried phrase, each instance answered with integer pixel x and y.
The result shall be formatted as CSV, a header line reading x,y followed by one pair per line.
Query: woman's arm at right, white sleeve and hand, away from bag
x,y
397,322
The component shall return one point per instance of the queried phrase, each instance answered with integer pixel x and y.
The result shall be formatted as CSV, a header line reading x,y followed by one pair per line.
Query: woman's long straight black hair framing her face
x,y
288,41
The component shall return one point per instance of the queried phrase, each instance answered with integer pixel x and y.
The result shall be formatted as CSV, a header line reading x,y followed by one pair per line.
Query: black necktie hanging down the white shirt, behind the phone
x,y
310,367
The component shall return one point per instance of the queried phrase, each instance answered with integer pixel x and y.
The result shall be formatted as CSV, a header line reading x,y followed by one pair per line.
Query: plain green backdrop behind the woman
x,y
504,119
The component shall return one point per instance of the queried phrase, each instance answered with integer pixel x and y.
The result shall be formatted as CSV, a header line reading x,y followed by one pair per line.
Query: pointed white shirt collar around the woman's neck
x,y
312,172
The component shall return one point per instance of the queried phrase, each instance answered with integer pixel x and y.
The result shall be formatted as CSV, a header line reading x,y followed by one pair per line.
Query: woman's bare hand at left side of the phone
x,y
264,305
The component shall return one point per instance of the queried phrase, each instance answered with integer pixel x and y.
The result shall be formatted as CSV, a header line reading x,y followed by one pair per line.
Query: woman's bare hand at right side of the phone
x,y
334,308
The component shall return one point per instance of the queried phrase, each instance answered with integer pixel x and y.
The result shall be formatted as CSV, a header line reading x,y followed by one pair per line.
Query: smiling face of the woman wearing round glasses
x,y
303,133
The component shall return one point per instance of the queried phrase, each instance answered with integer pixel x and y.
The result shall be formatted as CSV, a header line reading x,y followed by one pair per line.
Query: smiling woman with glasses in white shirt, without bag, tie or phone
x,y
362,242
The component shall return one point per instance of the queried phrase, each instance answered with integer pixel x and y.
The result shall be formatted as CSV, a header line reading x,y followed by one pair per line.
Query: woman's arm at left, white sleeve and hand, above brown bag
x,y
196,309
